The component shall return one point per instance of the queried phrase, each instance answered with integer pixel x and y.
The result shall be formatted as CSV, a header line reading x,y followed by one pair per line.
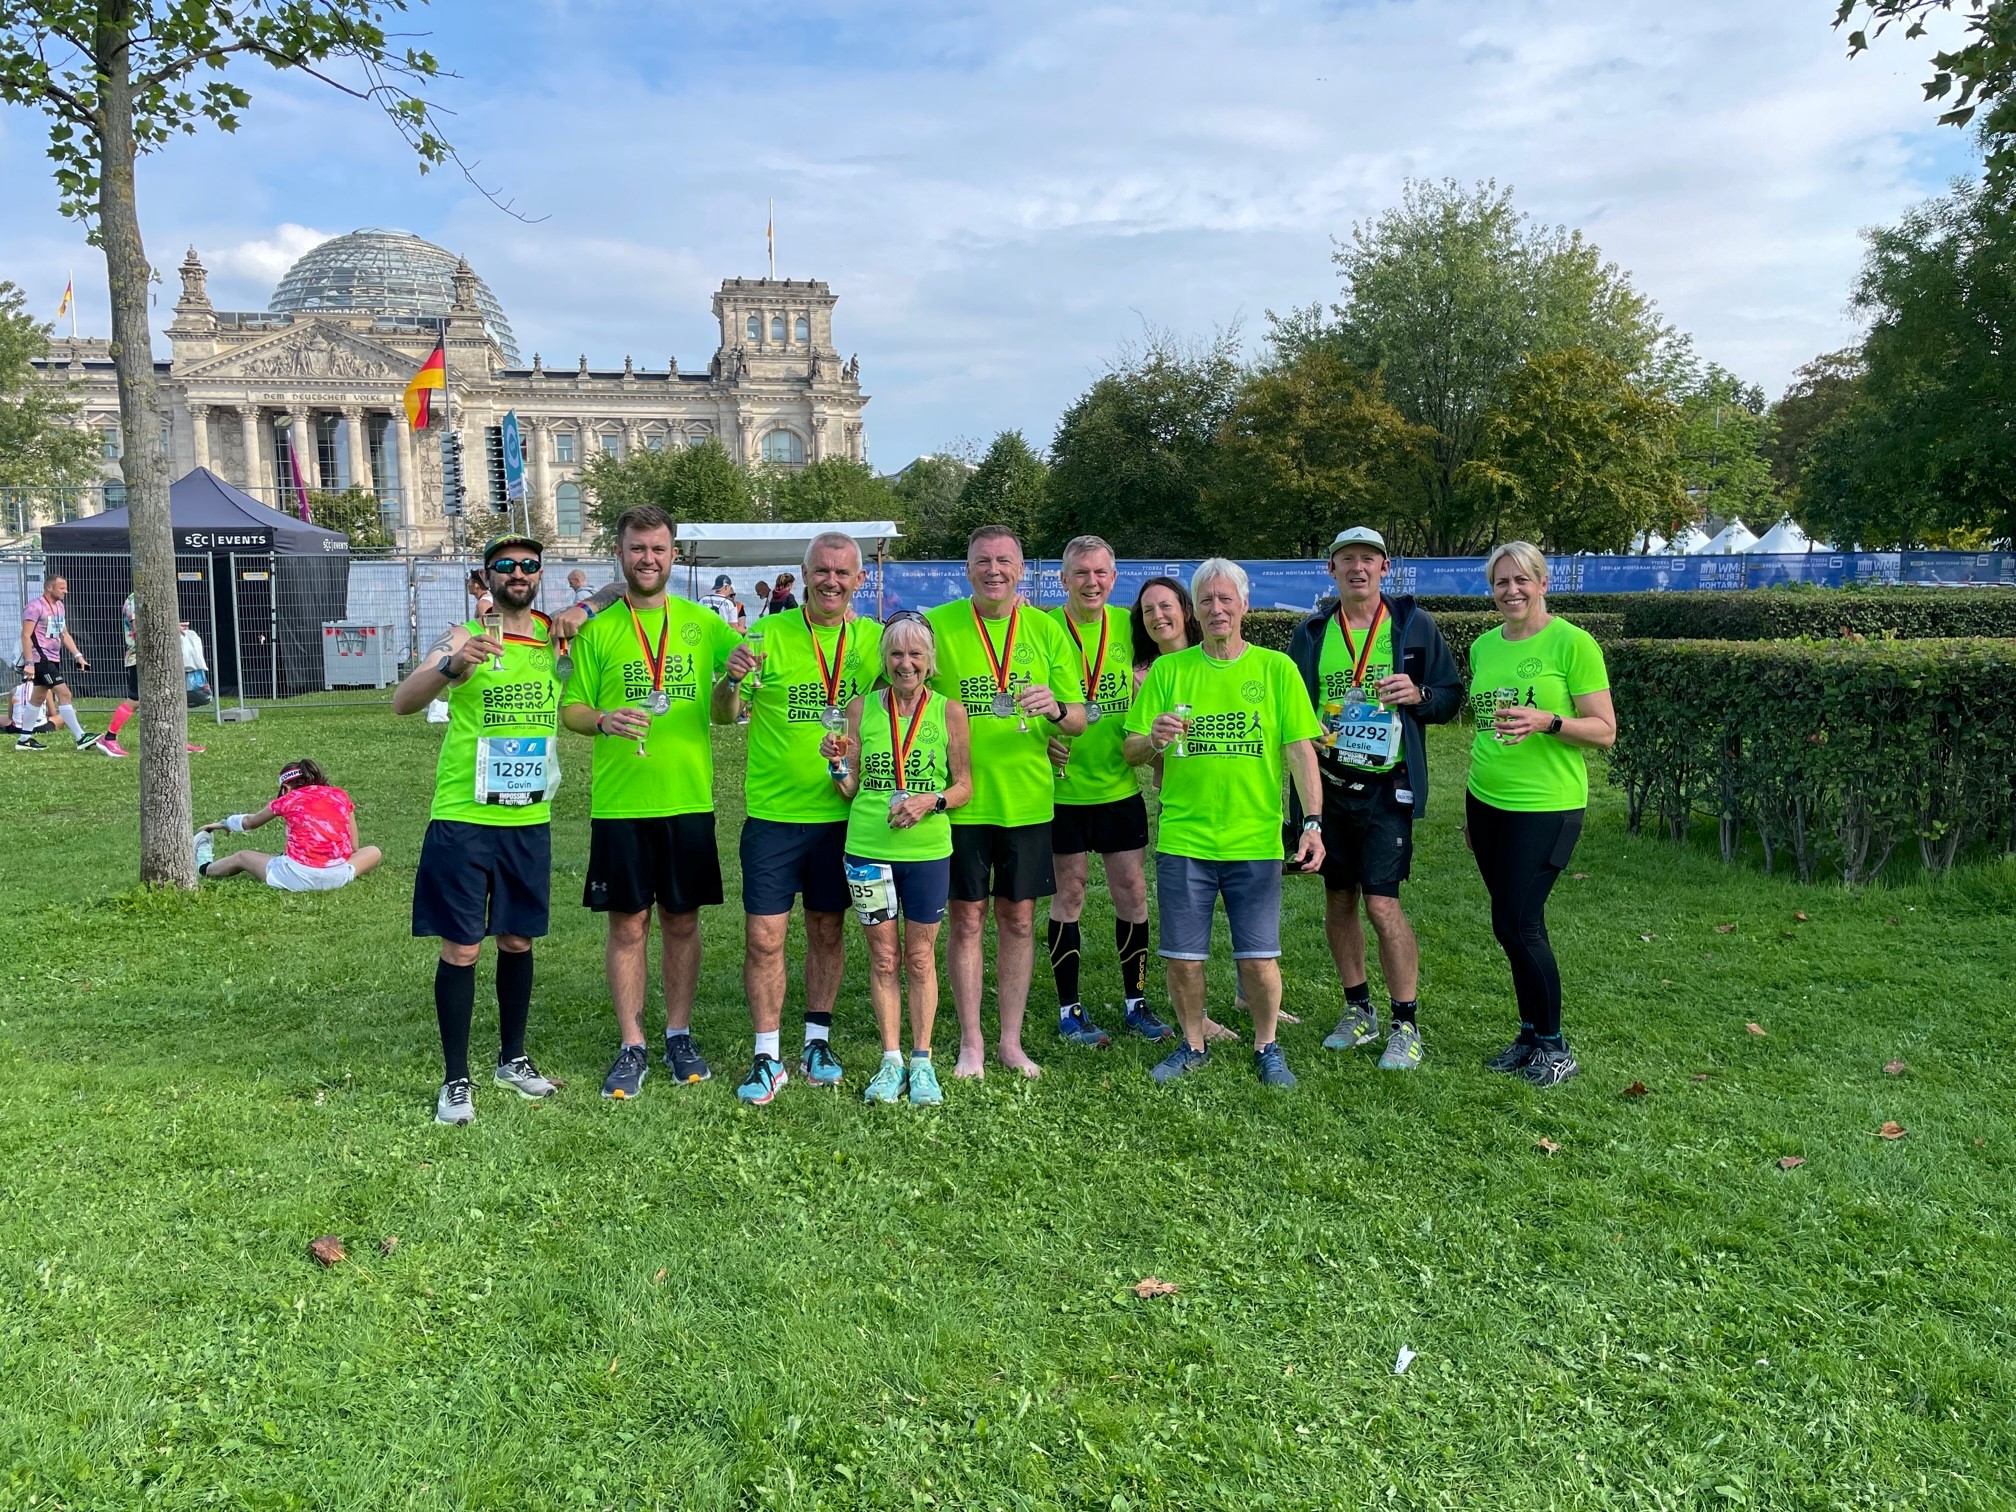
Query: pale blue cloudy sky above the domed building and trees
x,y
1003,195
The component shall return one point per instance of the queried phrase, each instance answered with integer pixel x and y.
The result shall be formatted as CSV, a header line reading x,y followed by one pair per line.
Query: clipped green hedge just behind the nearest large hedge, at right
x,y
1821,614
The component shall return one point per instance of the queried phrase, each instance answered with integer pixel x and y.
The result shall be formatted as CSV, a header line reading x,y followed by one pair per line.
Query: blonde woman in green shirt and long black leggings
x,y
1541,695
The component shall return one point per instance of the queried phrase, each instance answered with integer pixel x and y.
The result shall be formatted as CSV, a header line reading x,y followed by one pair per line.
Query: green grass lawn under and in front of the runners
x,y
686,1303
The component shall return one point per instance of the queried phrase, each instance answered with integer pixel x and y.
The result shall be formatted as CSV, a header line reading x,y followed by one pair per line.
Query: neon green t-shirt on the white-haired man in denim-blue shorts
x,y
1221,801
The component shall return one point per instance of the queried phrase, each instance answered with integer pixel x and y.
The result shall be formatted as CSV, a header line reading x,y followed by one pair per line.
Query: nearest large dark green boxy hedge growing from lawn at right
x,y
1836,755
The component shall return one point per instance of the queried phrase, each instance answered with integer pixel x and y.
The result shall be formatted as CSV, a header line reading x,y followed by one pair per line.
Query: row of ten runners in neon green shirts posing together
x,y
969,761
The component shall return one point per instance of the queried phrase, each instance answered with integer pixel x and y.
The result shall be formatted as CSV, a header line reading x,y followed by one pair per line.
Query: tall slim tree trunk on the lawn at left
x,y
164,761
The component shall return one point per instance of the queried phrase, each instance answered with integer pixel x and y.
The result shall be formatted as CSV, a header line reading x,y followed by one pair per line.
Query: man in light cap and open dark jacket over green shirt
x,y
1378,674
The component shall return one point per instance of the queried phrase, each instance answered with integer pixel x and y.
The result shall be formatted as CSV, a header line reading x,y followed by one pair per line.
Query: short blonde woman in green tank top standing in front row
x,y
906,769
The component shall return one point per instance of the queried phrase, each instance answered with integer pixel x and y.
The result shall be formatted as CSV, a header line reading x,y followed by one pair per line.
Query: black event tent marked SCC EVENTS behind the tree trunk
x,y
255,584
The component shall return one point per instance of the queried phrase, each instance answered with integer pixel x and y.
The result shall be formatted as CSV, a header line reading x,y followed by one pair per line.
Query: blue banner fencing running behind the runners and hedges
x,y
1303,586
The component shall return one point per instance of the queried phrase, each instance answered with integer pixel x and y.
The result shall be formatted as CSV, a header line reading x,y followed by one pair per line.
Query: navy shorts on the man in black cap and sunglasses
x,y
483,880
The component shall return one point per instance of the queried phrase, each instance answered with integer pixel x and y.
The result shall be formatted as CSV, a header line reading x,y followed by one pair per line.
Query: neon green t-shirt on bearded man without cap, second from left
x,y
614,670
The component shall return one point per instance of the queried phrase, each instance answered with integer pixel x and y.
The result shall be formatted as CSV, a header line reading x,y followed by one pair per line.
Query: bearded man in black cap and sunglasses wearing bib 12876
x,y
487,864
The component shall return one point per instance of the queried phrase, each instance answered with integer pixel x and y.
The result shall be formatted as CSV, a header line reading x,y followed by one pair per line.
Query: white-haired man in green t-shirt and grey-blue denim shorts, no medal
x,y
1225,717
